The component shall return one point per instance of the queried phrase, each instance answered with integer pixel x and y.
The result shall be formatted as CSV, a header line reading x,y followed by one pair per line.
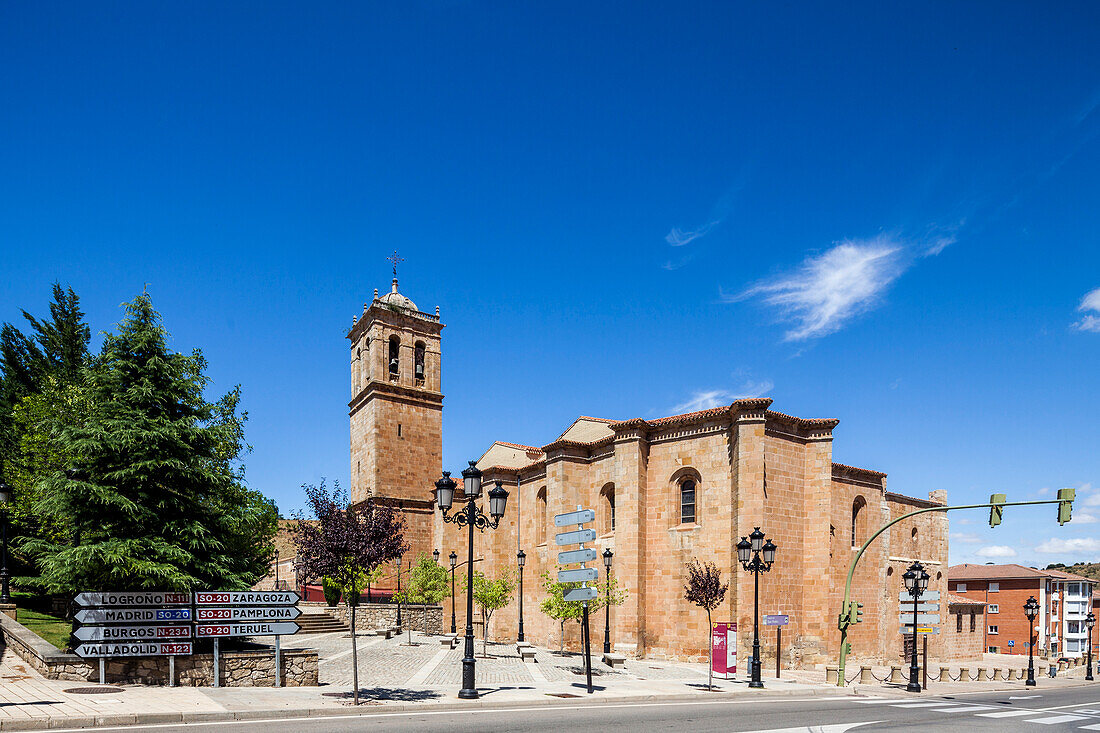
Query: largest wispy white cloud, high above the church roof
x,y
830,290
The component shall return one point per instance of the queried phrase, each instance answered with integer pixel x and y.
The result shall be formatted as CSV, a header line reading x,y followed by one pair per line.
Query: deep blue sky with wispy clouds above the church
x,y
885,215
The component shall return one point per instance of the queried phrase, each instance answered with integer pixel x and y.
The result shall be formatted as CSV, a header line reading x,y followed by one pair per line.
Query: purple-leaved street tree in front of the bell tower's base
x,y
346,542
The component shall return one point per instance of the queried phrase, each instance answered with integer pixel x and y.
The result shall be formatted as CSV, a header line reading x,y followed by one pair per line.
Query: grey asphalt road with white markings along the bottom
x,y
1069,709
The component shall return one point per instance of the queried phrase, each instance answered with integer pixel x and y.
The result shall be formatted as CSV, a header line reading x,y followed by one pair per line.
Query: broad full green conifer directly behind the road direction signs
x,y
156,494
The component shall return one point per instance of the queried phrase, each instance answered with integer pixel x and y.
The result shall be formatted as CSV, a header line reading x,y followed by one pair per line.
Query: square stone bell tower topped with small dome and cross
x,y
397,409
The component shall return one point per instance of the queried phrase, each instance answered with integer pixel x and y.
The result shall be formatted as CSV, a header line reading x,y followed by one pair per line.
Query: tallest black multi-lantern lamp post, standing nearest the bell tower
x,y
471,517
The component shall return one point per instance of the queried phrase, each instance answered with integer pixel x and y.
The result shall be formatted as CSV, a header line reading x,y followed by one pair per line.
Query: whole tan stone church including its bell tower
x,y
666,493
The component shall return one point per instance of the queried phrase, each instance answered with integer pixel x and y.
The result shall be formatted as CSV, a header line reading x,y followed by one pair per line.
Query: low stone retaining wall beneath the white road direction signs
x,y
245,669
